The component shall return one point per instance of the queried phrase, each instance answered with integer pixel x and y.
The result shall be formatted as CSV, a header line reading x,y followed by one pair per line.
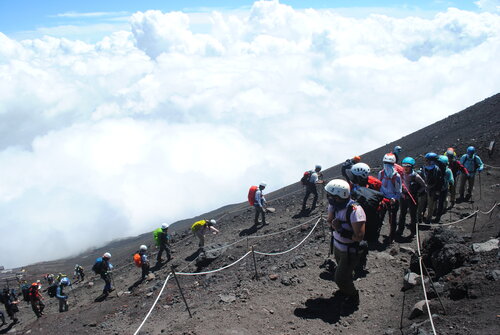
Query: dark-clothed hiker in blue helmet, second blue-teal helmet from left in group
x,y
434,180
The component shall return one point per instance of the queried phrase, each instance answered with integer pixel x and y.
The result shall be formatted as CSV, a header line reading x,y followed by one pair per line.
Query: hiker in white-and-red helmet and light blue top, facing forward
x,y
391,189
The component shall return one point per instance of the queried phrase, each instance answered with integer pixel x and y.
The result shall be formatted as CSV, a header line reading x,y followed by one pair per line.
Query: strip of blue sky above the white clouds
x,y
22,19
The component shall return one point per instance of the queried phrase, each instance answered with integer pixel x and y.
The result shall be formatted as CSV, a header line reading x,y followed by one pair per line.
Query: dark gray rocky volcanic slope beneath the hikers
x,y
292,294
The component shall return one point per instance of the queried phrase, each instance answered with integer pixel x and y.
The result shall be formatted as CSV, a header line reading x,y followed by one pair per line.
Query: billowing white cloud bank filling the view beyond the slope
x,y
163,122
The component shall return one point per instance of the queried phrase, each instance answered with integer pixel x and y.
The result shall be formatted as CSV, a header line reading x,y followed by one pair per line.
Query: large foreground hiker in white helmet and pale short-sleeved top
x,y
347,220
